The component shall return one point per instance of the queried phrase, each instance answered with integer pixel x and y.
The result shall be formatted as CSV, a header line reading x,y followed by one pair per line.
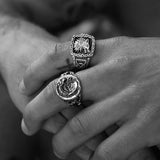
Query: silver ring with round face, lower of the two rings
x,y
68,88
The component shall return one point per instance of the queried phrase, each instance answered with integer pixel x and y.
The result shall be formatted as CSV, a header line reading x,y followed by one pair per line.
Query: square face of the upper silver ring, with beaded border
x,y
83,45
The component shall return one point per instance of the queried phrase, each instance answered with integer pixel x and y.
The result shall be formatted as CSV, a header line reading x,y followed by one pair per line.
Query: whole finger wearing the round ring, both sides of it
x,y
47,103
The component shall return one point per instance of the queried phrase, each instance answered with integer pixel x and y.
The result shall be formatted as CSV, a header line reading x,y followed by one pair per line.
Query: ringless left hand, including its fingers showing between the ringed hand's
x,y
20,47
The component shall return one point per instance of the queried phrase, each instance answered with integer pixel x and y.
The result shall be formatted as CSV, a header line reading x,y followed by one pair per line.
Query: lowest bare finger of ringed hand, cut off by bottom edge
x,y
126,141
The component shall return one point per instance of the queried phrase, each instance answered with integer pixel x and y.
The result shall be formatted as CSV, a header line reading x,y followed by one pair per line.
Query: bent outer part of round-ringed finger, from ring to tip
x,y
43,106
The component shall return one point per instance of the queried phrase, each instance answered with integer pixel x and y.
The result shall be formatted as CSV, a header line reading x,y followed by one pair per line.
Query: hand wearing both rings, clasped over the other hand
x,y
125,77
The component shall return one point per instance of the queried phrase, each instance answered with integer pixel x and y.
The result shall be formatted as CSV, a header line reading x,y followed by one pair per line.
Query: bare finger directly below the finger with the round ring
x,y
91,121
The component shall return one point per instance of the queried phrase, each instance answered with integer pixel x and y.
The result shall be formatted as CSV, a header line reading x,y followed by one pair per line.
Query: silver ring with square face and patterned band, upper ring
x,y
82,49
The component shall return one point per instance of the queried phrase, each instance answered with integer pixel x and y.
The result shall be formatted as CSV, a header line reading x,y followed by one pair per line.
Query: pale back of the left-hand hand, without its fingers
x,y
21,44
